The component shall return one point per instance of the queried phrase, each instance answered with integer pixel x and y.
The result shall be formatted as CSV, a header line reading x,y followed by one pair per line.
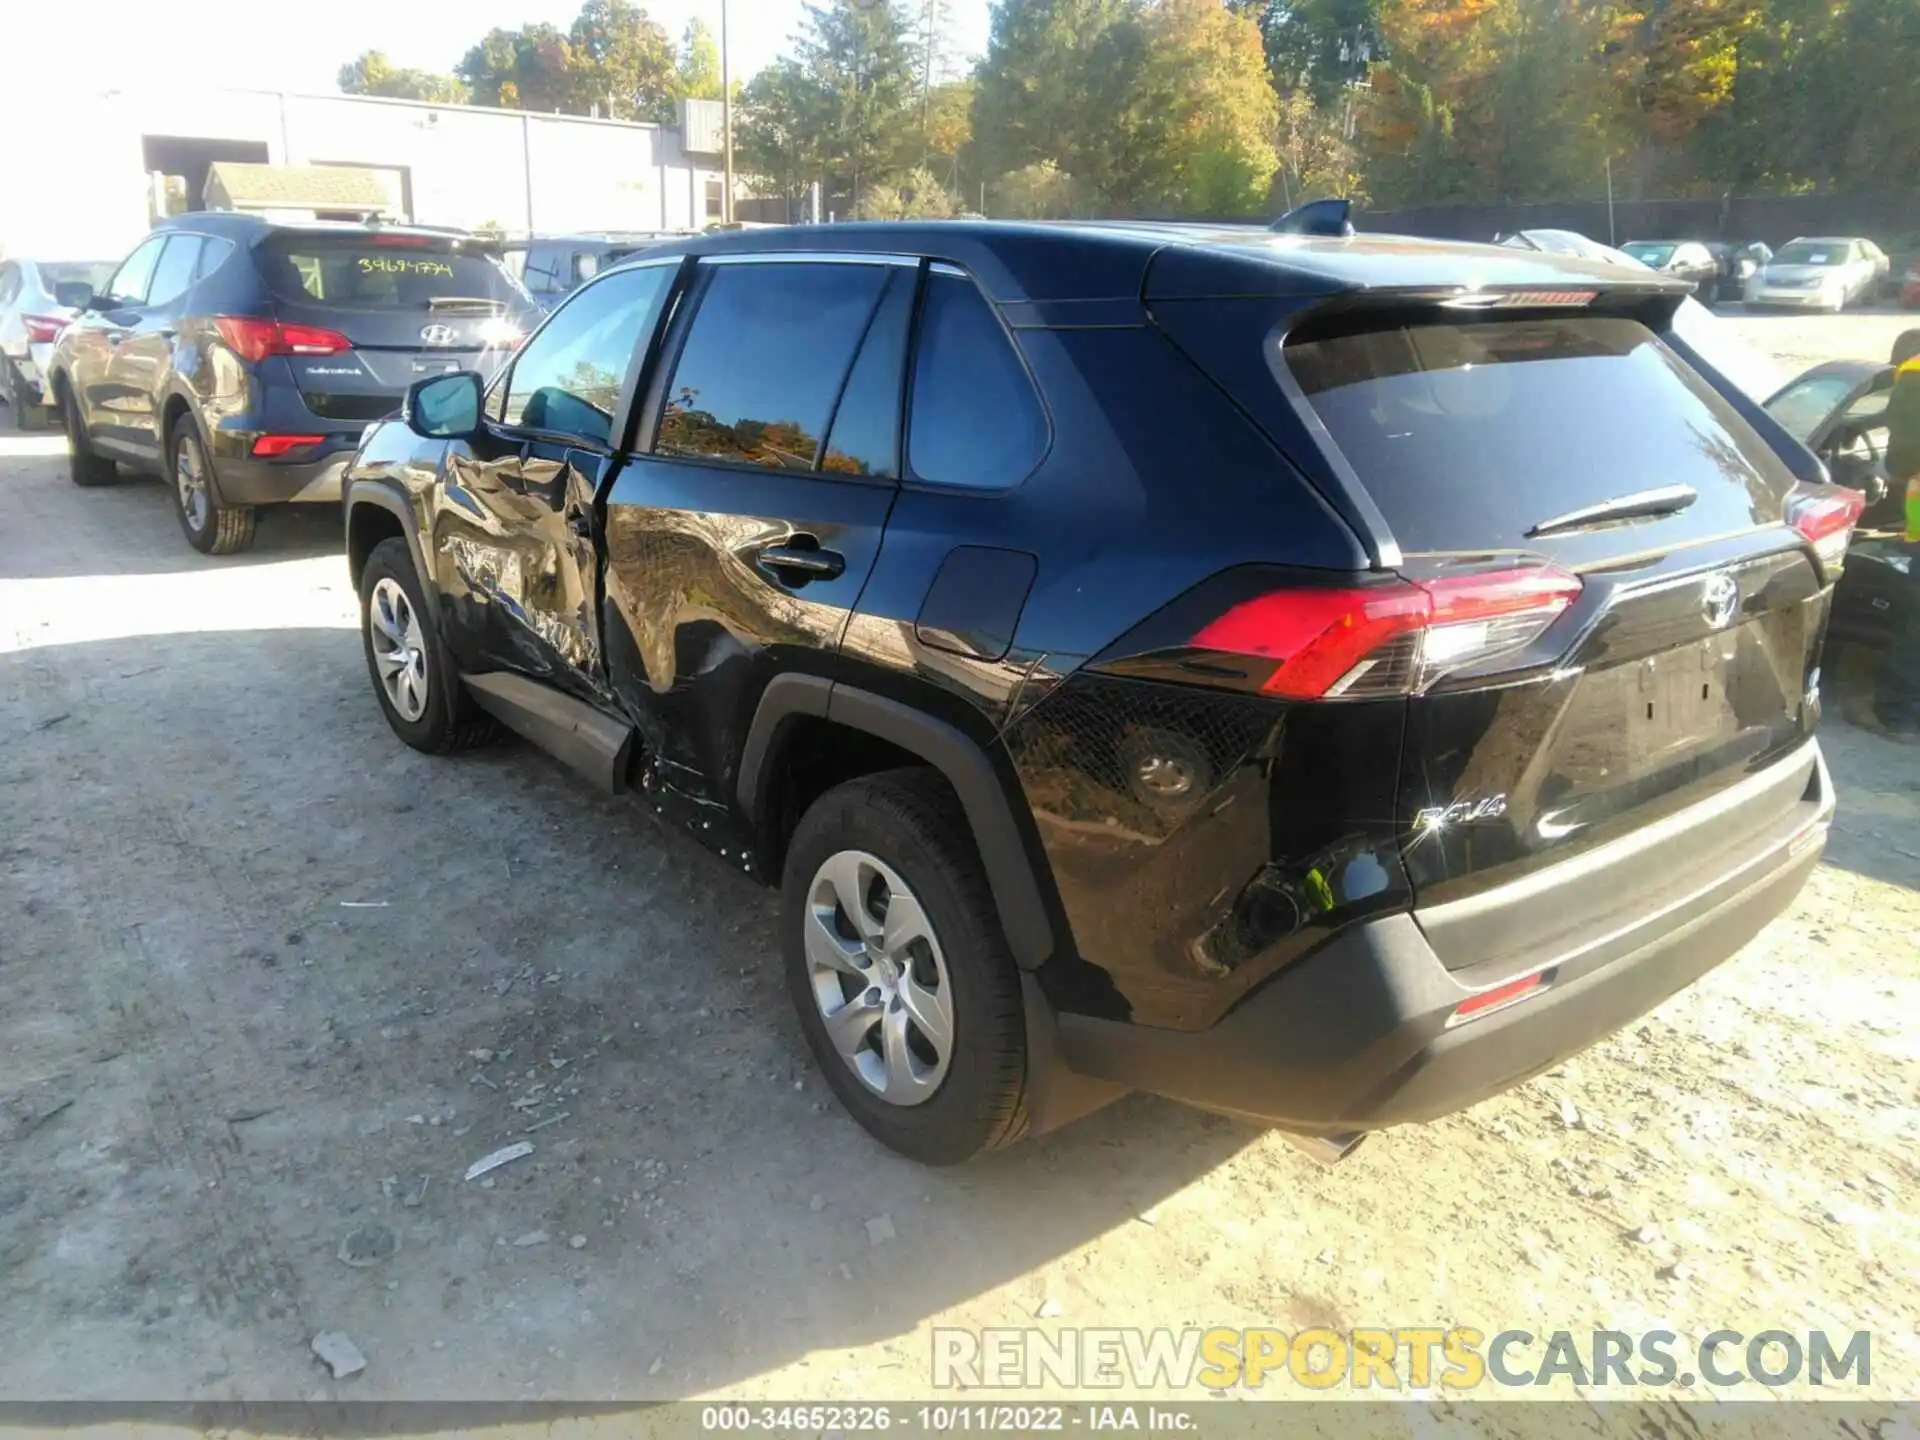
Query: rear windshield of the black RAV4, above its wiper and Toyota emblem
x,y
1472,433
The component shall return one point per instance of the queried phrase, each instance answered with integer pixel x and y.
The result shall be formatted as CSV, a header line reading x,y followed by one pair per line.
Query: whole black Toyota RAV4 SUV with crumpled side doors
x,y
1318,681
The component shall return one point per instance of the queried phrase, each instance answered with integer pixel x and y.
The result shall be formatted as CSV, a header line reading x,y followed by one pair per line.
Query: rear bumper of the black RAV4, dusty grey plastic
x,y
1358,1036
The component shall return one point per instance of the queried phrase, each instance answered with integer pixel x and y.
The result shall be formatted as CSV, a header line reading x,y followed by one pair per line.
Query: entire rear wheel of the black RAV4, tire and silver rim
x,y
871,840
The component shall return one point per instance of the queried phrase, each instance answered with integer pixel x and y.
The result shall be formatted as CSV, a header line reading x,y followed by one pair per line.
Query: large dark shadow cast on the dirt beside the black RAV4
x,y
276,978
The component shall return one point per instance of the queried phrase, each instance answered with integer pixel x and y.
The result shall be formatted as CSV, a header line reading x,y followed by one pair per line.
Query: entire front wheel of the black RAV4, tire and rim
x,y
395,619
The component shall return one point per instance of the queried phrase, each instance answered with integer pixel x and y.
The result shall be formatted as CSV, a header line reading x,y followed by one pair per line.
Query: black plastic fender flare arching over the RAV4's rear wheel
x,y
1003,852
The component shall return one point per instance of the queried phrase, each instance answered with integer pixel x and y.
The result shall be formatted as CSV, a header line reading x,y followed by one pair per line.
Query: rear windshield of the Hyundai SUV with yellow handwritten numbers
x,y
398,274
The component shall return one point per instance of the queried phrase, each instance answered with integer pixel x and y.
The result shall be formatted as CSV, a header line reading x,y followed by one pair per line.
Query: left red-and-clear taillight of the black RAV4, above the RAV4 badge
x,y
1397,638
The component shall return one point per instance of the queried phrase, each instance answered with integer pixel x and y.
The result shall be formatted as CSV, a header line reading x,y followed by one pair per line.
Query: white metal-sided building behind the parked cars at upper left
x,y
87,189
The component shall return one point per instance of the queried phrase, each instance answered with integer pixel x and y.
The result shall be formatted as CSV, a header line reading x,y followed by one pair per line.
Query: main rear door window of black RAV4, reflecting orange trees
x,y
765,362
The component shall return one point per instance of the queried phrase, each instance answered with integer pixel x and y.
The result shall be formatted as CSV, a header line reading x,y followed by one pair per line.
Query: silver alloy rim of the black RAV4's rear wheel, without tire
x,y
878,978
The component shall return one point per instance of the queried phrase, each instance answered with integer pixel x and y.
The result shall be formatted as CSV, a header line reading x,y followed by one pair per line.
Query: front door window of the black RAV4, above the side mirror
x,y
569,377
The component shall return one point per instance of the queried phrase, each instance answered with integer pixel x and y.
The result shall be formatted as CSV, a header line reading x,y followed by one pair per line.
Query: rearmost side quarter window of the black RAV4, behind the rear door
x,y
974,416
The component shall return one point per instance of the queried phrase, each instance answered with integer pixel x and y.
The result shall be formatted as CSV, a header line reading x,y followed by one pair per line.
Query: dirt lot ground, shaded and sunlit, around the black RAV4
x,y
274,982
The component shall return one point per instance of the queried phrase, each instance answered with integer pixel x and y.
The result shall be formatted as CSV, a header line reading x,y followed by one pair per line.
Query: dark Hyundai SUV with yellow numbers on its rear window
x,y
243,358
